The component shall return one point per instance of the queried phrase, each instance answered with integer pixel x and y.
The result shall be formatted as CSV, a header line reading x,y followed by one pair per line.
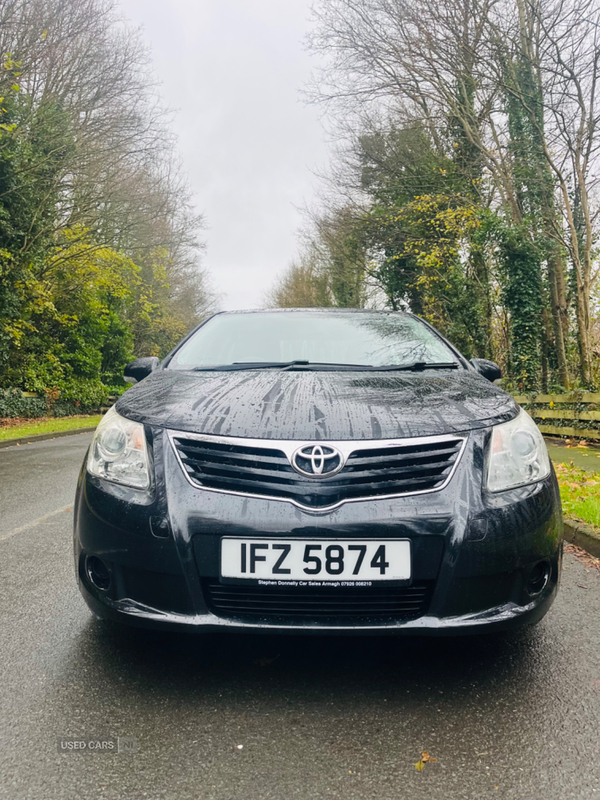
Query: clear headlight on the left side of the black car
x,y
119,452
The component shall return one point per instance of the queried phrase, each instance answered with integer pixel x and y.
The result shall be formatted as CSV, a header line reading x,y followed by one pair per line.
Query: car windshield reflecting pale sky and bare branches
x,y
357,339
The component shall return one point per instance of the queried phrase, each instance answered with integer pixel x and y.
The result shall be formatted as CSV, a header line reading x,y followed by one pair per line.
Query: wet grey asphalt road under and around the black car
x,y
315,718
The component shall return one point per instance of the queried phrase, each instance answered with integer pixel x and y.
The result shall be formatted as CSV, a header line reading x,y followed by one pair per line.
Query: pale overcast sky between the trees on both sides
x,y
233,70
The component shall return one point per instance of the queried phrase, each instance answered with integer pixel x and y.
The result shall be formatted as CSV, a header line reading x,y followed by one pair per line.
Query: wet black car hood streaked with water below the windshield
x,y
268,404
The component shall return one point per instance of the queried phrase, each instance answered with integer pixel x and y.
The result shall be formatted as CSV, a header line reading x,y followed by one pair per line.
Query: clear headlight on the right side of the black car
x,y
517,455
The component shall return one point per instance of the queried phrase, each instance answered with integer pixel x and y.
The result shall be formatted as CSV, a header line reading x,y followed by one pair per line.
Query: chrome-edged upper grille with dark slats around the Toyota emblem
x,y
373,469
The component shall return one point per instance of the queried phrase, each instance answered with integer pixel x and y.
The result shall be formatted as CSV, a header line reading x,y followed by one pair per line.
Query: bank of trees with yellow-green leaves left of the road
x,y
99,247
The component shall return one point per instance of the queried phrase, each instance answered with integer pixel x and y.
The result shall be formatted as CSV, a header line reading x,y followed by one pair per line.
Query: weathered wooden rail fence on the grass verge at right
x,y
578,408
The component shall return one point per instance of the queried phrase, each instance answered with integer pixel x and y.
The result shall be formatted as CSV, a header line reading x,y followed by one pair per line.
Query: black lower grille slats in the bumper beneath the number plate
x,y
271,603
